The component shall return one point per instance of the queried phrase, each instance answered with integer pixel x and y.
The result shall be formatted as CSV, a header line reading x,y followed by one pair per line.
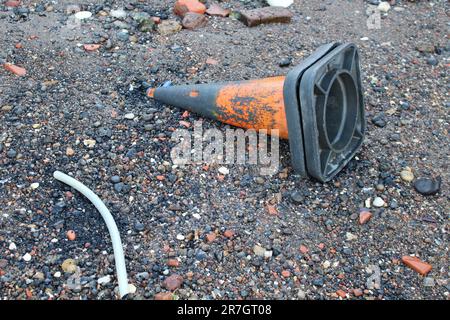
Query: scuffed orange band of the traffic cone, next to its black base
x,y
255,104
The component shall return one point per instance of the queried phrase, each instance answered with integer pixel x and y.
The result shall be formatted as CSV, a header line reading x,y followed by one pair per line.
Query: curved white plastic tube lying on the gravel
x,y
110,224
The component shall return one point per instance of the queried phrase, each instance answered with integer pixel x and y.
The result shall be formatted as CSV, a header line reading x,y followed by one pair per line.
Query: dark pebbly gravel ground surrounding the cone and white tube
x,y
72,99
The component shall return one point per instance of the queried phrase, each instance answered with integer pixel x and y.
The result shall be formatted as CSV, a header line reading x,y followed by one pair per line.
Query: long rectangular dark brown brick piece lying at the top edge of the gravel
x,y
259,16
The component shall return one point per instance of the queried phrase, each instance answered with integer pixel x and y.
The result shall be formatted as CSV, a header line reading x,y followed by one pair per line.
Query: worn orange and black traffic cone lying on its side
x,y
318,106
